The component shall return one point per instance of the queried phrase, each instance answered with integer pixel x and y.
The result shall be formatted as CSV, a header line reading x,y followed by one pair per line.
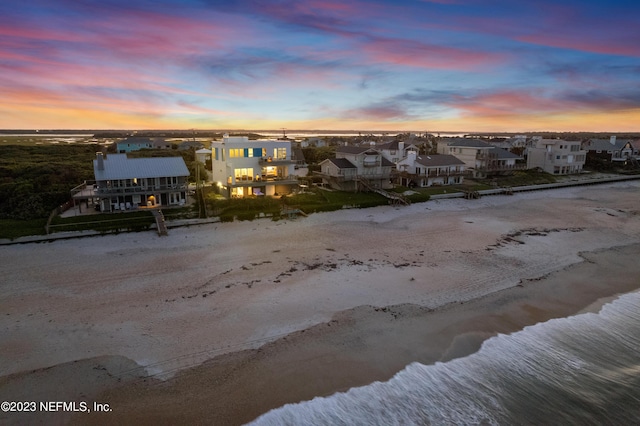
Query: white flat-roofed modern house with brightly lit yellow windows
x,y
243,167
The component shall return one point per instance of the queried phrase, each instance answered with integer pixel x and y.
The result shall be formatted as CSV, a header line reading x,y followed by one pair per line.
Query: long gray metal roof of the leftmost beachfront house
x,y
118,166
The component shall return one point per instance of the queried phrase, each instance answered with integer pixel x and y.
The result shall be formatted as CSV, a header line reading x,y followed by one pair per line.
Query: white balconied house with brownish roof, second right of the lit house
x,y
428,170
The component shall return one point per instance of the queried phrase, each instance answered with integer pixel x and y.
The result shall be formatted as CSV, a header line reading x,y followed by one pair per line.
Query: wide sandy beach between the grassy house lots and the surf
x,y
220,323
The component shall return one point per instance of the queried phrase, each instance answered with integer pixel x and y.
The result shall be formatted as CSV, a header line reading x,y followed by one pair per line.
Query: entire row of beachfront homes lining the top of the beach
x,y
243,167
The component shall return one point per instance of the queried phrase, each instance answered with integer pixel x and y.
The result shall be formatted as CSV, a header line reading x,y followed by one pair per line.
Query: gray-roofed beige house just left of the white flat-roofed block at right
x,y
480,158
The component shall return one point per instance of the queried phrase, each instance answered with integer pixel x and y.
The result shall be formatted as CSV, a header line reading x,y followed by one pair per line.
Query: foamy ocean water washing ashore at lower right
x,y
580,370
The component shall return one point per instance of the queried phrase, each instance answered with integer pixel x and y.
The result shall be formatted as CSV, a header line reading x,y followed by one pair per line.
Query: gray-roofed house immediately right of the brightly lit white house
x,y
356,168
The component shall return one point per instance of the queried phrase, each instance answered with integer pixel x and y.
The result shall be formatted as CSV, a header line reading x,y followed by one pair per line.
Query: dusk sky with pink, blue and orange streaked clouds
x,y
415,65
